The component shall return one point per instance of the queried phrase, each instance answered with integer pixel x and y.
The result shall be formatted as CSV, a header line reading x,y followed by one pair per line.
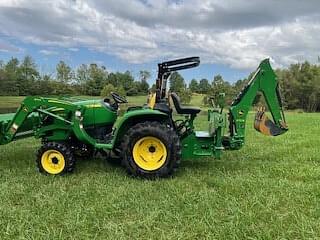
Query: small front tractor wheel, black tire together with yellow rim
x,y
55,158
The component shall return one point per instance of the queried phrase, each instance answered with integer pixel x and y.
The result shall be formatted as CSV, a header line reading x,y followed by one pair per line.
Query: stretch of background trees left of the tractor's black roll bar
x,y
23,78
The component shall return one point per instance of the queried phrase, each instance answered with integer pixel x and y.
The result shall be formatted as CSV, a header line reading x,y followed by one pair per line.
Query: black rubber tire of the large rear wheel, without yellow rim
x,y
157,130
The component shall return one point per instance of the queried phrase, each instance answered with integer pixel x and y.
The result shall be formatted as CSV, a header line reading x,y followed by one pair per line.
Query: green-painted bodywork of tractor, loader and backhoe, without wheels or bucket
x,y
71,120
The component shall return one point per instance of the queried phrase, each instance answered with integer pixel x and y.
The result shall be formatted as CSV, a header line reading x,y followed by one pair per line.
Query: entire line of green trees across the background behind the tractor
x,y
300,83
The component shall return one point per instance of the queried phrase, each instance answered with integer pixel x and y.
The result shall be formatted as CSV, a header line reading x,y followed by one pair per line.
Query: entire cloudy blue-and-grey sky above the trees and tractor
x,y
231,37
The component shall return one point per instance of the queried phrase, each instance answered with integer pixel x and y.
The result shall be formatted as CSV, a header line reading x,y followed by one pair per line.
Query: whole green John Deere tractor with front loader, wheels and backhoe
x,y
147,139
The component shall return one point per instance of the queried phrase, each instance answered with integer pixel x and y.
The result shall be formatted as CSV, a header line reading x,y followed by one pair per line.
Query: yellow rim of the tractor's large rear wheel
x,y
149,153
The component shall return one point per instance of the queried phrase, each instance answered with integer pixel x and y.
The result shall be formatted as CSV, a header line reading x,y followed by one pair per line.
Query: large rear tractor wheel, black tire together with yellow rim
x,y
151,150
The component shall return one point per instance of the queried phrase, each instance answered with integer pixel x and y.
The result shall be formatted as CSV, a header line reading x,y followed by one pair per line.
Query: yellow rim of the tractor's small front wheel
x,y
53,161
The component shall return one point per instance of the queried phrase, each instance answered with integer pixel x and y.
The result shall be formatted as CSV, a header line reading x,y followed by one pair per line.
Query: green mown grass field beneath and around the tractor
x,y
267,190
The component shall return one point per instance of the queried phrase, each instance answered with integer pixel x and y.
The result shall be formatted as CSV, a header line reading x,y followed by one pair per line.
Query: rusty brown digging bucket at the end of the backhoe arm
x,y
267,127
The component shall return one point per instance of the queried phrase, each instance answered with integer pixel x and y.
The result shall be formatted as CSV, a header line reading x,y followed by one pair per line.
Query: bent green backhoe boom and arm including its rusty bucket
x,y
265,81
